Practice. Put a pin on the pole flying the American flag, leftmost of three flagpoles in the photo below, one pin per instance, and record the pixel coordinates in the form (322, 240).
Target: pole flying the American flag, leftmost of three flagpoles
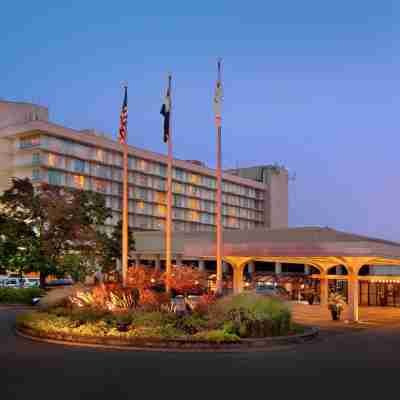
(125, 214)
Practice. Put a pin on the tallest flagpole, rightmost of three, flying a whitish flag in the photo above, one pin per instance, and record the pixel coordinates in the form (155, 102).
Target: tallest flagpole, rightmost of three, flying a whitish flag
(219, 189)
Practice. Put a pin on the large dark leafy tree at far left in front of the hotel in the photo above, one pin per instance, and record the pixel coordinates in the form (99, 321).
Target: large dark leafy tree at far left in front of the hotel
(55, 221)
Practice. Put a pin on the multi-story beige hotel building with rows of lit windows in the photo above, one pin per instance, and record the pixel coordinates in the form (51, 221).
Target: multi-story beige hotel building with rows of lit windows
(32, 146)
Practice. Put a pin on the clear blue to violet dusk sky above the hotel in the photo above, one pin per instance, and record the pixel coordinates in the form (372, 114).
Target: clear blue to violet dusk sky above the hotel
(311, 85)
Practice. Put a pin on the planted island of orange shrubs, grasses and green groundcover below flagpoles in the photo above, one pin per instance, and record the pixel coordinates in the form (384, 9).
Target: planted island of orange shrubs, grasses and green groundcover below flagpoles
(146, 313)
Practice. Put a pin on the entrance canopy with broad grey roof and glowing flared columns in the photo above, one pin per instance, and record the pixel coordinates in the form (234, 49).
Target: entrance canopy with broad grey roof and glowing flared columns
(319, 247)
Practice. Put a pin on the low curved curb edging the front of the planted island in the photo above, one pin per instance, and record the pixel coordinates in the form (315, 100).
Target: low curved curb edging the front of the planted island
(178, 345)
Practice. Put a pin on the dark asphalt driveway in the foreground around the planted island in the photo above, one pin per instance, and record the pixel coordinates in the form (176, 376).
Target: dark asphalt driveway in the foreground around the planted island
(365, 363)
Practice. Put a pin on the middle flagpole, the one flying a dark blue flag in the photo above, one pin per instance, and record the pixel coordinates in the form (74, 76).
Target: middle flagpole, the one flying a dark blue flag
(168, 225)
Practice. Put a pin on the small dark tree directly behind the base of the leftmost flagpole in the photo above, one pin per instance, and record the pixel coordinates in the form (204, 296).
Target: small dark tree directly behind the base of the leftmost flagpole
(112, 247)
